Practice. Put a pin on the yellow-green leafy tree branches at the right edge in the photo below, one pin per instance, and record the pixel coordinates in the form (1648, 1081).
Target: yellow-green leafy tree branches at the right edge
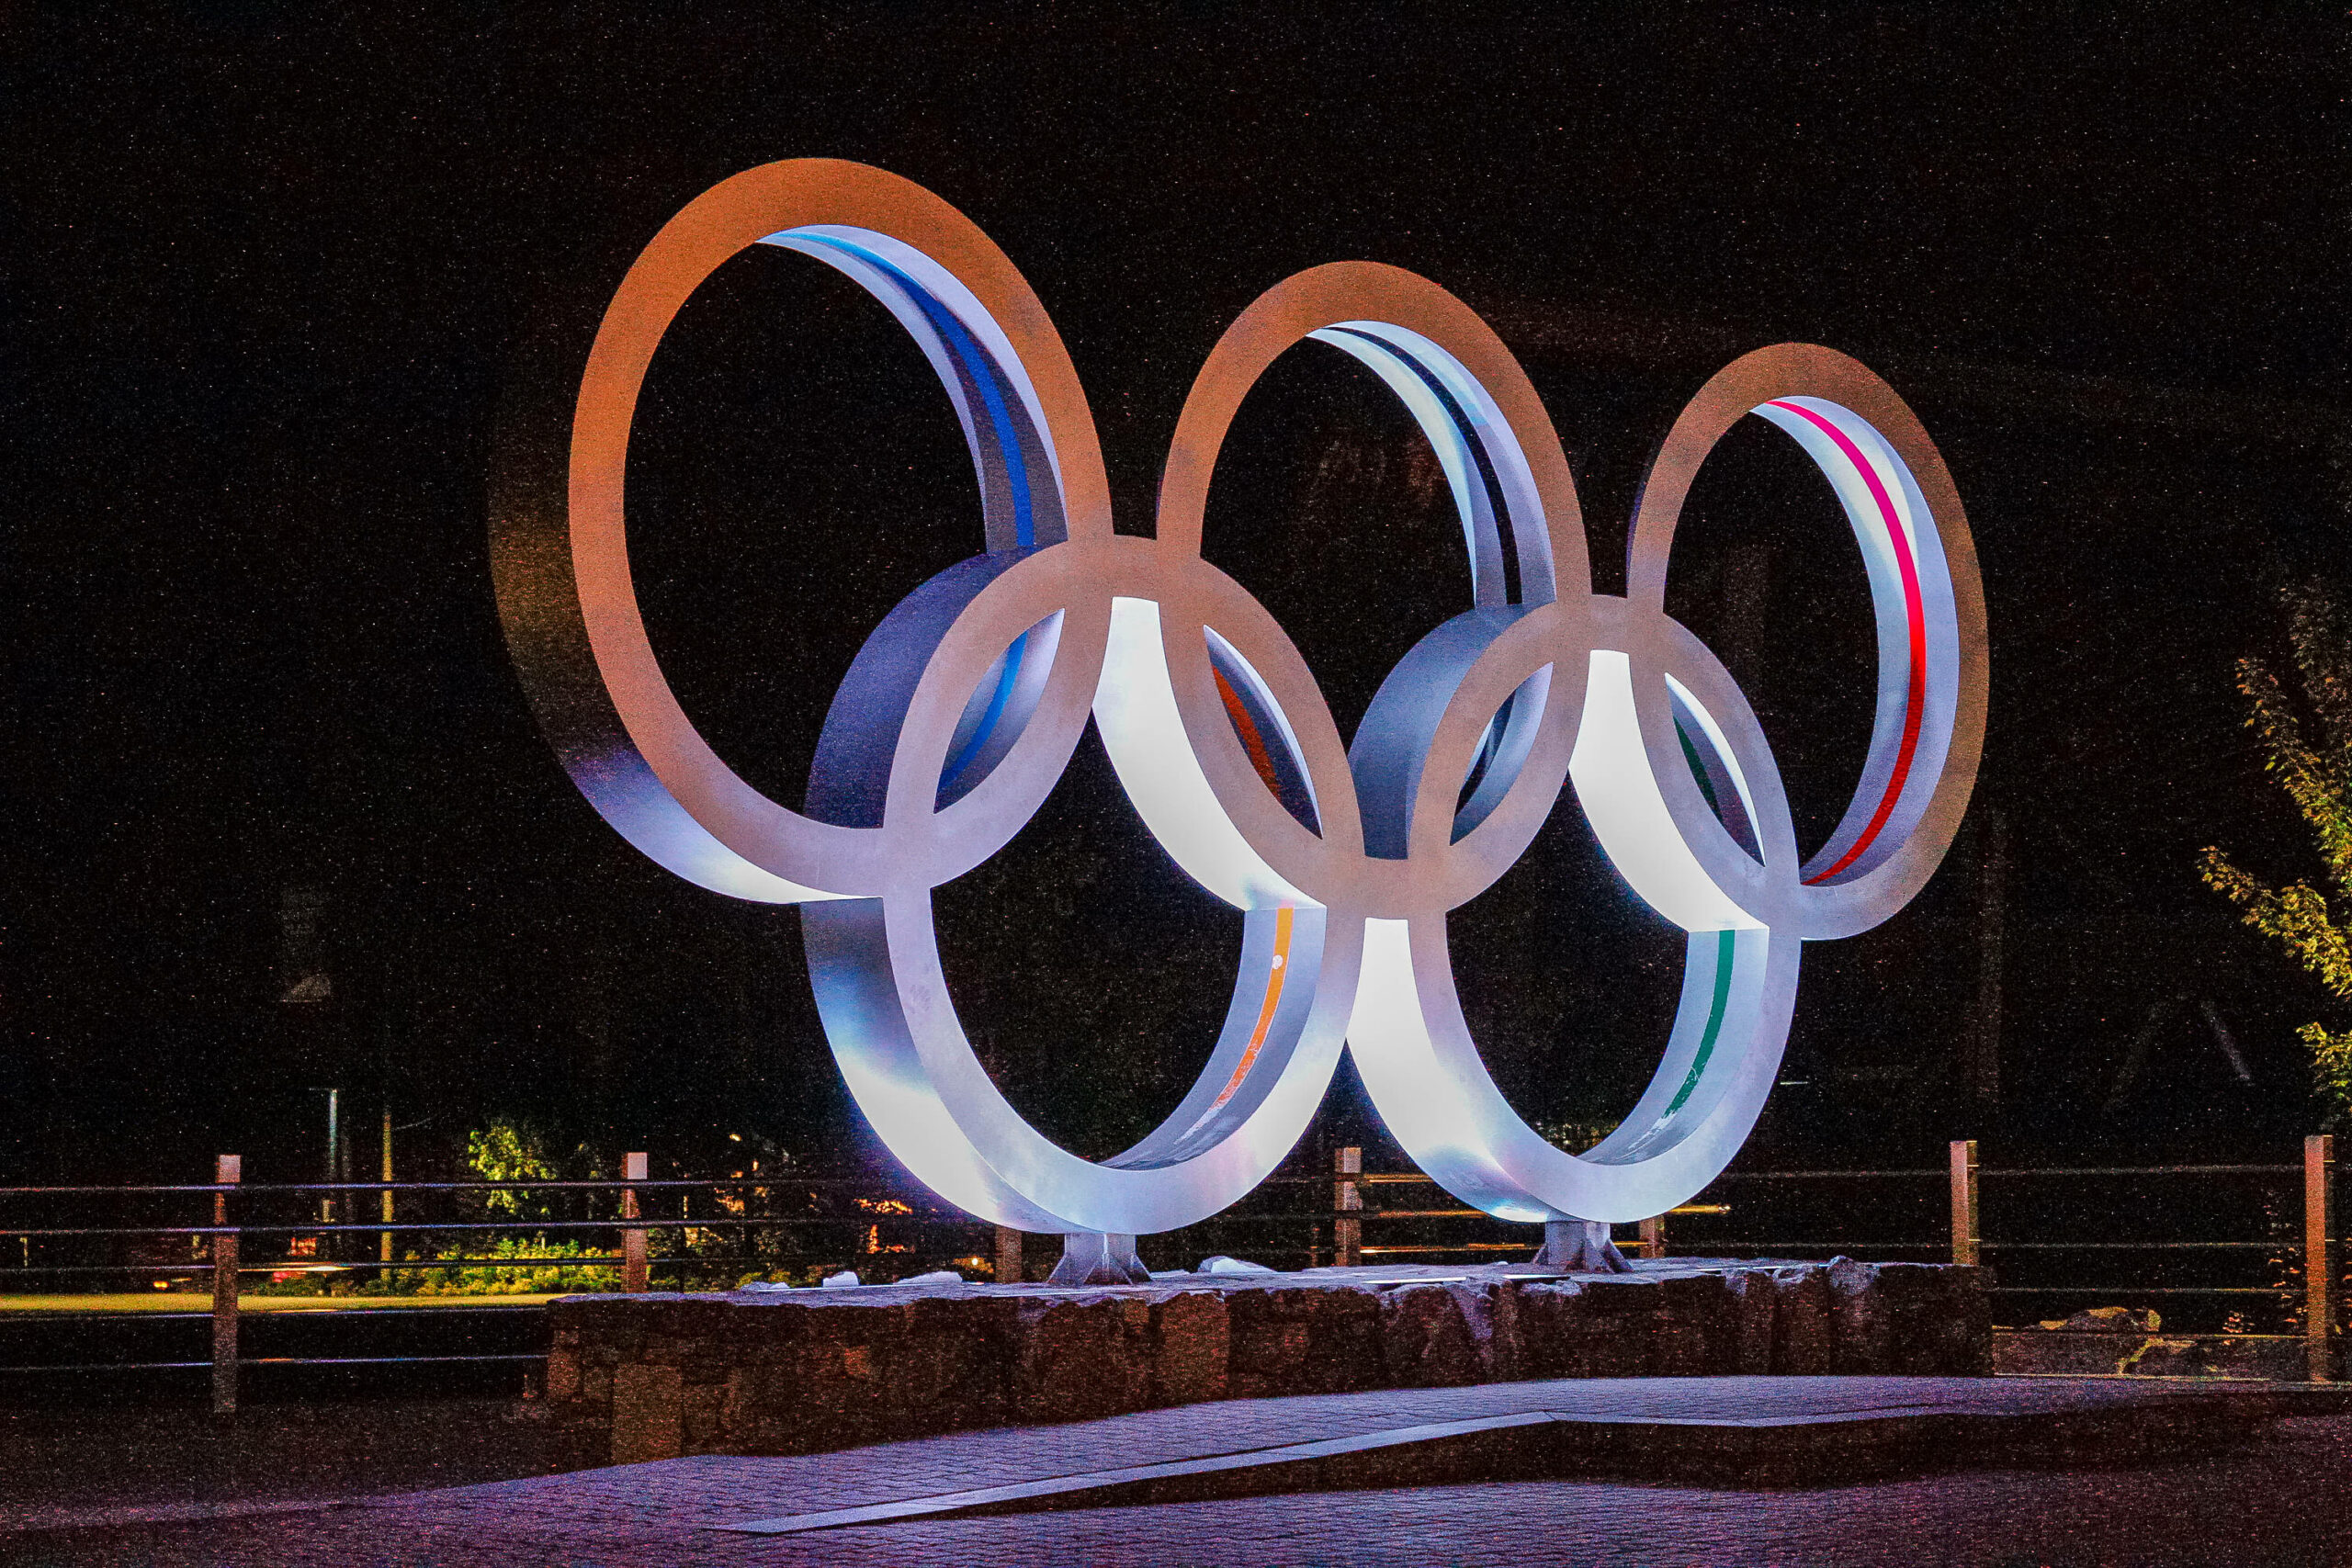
(2306, 737)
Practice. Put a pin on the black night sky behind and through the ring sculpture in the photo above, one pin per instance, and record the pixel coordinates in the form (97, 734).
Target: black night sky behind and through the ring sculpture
(267, 274)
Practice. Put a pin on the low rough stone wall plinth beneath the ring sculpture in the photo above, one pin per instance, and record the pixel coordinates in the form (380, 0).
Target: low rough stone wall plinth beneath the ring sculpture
(831, 1369)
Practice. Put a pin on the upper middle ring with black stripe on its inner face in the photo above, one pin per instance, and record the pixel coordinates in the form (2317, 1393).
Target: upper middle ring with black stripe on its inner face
(1530, 579)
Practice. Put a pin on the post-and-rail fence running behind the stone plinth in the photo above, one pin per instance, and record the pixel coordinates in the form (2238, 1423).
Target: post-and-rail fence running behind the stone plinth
(1337, 1235)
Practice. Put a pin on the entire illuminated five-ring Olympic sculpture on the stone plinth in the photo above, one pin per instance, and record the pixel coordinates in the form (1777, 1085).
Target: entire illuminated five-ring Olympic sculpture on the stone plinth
(1344, 859)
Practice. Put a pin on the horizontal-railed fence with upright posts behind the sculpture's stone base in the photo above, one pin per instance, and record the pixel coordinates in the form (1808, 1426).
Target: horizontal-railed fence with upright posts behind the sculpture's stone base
(1335, 1235)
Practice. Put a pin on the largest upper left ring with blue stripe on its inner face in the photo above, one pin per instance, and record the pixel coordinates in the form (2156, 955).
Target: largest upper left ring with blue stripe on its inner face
(566, 589)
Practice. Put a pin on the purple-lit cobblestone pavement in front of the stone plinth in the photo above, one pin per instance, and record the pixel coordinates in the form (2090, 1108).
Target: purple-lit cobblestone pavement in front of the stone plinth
(2290, 1503)
